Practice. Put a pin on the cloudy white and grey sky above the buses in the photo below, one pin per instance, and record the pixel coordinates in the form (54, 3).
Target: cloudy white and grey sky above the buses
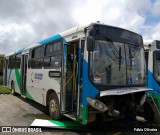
(24, 22)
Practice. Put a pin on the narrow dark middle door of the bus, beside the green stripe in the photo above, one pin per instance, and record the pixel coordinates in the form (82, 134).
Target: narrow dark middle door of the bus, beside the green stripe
(24, 73)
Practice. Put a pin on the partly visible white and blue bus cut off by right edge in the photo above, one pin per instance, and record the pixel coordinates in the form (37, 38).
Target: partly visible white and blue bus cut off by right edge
(152, 56)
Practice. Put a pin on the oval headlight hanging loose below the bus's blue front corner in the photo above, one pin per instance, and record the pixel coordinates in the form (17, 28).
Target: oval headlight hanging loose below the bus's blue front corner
(97, 104)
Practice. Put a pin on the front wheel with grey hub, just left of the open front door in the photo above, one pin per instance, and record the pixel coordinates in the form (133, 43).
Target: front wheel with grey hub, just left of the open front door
(53, 106)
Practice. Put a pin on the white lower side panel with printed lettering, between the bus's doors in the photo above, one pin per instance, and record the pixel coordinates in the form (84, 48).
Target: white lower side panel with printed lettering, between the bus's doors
(38, 83)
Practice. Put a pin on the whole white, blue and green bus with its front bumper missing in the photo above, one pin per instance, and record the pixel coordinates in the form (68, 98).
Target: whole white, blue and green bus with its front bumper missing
(87, 73)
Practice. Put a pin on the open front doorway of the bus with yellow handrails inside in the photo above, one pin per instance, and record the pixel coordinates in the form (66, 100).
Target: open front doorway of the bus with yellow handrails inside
(69, 77)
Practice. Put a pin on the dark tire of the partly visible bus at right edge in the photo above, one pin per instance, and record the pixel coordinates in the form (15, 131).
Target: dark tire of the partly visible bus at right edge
(150, 112)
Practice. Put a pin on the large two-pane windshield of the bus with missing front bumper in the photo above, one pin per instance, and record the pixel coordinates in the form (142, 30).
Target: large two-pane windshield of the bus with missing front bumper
(116, 63)
